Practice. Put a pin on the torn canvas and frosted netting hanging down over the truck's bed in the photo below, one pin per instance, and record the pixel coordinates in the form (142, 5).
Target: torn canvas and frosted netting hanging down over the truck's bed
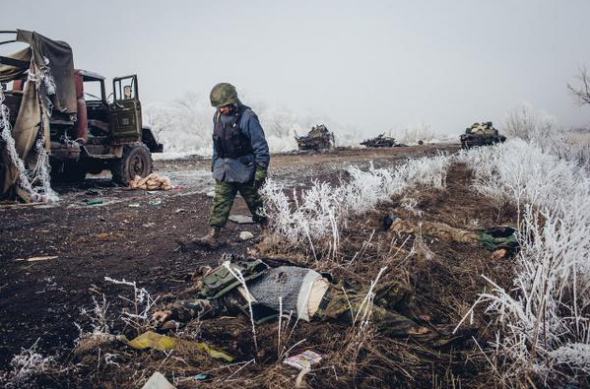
(24, 146)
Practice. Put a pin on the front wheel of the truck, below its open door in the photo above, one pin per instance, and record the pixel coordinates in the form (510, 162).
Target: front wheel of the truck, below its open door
(136, 161)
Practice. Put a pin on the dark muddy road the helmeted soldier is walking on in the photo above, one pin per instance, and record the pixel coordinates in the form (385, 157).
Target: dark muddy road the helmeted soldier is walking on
(130, 235)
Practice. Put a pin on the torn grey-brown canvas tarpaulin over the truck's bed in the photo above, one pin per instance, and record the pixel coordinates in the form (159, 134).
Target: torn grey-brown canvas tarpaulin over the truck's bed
(50, 87)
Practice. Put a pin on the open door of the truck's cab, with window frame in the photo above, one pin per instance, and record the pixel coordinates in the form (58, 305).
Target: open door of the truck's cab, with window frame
(125, 111)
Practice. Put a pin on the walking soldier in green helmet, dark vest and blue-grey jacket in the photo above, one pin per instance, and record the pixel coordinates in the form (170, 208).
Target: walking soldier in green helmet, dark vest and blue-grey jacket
(240, 159)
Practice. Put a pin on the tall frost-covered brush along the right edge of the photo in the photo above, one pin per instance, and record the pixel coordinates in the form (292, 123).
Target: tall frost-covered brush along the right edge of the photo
(544, 318)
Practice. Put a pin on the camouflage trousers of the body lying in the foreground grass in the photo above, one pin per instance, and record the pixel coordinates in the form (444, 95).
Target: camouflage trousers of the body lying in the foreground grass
(390, 298)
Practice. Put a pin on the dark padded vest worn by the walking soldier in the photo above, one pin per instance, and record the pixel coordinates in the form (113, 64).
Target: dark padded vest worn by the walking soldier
(230, 141)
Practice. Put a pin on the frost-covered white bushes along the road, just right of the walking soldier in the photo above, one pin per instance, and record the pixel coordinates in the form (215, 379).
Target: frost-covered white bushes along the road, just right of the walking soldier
(317, 215)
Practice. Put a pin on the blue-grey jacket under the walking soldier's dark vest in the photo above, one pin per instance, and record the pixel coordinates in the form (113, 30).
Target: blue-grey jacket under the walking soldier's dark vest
(241, 170)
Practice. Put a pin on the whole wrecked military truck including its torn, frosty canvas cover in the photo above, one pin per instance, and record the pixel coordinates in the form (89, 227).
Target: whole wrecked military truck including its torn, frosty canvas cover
(61, 116)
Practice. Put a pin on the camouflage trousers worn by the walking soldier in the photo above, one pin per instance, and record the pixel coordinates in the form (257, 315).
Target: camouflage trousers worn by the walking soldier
(225, 193)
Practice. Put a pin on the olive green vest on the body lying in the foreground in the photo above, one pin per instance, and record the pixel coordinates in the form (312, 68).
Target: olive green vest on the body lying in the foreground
(220, 281)
